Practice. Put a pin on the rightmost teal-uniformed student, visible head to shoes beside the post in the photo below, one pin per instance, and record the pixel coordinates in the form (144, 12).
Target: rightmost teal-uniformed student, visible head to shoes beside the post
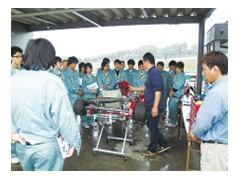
(175, 94)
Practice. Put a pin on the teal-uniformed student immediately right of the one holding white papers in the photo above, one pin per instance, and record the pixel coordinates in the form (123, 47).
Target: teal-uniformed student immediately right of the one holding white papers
(105, 79)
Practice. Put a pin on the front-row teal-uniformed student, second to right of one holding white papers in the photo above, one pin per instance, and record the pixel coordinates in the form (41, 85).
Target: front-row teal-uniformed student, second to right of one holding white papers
(118, 74)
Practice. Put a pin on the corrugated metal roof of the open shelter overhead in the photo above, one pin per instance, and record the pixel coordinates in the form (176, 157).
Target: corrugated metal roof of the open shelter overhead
(64, 18)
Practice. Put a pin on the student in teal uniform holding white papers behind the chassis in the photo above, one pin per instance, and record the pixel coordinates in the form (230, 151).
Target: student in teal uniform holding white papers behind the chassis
(88, 79)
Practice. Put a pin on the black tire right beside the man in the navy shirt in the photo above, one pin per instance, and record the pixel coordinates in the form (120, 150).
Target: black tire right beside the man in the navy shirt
(139, 112)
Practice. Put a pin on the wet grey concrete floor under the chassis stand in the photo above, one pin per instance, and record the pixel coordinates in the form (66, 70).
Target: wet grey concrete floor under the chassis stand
(171, 160)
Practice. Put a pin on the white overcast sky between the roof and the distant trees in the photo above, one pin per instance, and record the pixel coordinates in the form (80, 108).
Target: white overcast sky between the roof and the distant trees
(88, 42)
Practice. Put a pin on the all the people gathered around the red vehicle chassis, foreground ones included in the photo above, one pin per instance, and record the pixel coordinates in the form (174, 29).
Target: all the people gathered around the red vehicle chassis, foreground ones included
(42, 103)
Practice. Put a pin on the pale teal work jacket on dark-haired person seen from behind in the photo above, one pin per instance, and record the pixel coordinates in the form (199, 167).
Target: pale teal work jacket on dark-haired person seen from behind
(40, 108)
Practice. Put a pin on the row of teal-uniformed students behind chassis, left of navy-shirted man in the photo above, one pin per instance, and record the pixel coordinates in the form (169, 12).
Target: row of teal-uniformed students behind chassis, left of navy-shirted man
(79, 83)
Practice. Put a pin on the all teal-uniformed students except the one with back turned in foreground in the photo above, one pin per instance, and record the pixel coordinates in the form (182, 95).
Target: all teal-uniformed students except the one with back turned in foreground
(77, 82)
